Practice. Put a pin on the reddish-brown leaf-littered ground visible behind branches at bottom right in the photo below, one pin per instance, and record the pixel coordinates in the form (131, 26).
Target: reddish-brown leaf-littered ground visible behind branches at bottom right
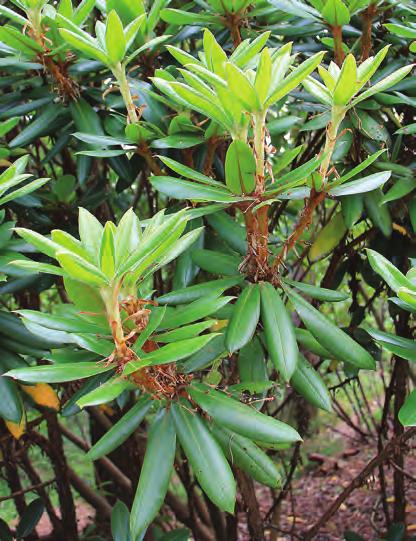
(326, 477)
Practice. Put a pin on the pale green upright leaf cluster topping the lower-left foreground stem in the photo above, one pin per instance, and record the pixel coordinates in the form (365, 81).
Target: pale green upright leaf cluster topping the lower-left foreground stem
(111, 256)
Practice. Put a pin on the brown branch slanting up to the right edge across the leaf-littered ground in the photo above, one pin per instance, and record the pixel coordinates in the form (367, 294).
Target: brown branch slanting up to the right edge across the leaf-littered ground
(359, 480)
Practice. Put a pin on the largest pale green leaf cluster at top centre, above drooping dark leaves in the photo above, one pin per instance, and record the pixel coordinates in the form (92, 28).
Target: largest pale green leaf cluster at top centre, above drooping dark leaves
(227, 89)
